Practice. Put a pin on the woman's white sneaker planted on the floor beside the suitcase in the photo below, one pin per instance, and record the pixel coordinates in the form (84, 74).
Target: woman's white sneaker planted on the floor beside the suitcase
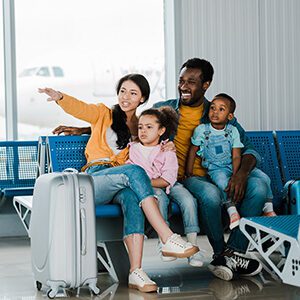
(139, 280)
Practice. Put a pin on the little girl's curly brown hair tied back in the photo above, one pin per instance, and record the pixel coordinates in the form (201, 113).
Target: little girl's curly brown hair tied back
(166, 117)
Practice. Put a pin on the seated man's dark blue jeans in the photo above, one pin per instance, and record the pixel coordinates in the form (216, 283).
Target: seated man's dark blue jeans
(210, 200)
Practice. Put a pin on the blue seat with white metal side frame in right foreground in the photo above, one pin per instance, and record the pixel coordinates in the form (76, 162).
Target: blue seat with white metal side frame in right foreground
(284, 234)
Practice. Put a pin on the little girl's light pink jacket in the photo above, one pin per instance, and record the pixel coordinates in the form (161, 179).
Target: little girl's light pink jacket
(159, 165)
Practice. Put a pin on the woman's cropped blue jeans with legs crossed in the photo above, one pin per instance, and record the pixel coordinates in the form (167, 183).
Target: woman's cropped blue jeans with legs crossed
(127, 185)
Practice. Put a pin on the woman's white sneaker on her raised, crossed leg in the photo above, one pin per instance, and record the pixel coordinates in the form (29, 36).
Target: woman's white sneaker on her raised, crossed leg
(177, 247)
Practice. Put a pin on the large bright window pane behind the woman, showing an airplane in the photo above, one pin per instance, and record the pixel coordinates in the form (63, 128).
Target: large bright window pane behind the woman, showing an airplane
(82, 48)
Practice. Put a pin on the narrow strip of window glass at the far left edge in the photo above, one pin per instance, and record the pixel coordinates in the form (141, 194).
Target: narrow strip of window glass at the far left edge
(2, 101)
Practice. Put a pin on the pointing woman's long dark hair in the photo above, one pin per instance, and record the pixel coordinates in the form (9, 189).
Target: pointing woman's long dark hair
(118, 115)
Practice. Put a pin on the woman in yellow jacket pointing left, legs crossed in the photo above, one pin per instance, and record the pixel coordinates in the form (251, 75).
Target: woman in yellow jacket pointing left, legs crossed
(106, 153)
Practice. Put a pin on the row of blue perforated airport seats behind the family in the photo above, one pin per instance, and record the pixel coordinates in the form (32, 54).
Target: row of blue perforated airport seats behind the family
(22, 161)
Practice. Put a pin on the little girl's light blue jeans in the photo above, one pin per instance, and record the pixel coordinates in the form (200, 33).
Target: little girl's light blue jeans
(186, 202)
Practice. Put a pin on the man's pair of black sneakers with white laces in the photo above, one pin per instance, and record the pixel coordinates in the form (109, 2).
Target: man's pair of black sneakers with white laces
(230, 264)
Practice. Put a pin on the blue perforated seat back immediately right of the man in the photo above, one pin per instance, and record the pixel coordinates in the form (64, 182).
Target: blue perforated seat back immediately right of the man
(264, 143)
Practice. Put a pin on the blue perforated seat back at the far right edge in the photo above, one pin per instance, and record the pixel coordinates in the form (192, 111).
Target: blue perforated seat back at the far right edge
(289, 151)
